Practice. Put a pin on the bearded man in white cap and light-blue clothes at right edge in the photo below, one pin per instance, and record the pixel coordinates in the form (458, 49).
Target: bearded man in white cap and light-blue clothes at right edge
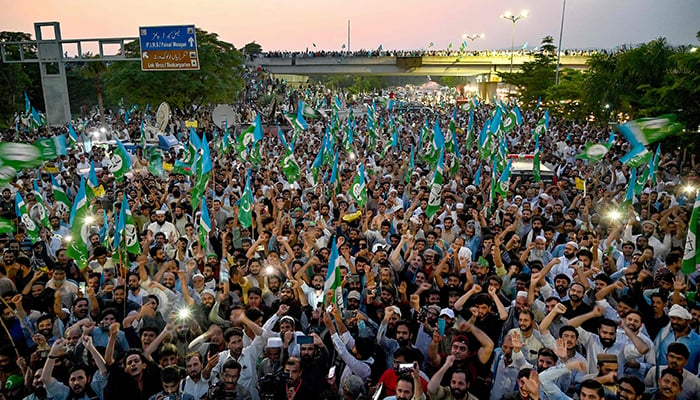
(678, 330)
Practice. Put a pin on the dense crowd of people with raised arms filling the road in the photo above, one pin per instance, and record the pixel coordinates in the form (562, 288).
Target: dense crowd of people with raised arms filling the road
(538, 293)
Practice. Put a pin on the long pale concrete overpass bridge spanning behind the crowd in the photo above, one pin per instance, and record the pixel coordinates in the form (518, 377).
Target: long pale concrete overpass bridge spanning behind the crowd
(466, 65)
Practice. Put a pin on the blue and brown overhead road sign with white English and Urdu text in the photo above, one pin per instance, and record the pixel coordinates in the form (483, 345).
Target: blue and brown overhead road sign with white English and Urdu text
(168, 48)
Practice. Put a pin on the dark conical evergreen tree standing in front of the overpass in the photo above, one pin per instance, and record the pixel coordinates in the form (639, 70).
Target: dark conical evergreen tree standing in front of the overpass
(535, 76)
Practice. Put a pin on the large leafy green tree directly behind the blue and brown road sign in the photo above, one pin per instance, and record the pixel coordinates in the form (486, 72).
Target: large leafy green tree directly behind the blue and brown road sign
(217, 81)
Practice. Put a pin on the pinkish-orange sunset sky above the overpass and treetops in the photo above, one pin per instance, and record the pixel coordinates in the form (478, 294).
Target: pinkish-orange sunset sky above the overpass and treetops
(395, 24)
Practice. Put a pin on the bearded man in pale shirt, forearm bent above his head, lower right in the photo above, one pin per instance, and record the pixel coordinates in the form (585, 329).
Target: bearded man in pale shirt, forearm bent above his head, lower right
(605, 341)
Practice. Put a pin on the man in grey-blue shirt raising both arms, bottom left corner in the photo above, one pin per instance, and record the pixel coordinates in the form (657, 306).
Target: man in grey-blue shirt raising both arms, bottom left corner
(78, 379)
